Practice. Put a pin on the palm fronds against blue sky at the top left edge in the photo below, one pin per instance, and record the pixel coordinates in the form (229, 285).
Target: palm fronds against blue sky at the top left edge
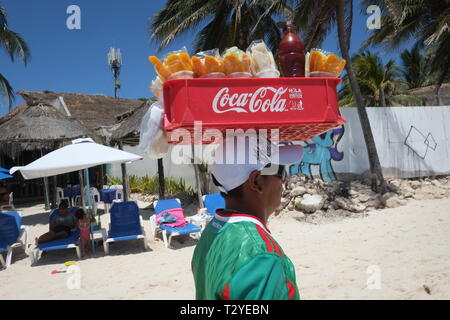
(15, 47)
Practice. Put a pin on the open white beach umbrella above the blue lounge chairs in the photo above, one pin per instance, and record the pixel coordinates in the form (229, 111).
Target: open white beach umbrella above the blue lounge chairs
(81, 154)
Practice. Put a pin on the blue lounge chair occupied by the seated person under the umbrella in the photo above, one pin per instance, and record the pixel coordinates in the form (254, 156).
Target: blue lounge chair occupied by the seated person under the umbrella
(70, 242)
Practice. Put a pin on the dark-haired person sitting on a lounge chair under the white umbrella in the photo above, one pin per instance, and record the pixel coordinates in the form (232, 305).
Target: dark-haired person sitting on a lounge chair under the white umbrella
(60, 225)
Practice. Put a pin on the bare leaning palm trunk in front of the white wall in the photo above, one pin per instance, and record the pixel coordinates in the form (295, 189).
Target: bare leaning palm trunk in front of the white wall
(378, 182)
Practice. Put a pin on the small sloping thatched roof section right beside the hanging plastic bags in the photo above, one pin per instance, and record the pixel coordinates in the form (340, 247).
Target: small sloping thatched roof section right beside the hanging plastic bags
(129, 129)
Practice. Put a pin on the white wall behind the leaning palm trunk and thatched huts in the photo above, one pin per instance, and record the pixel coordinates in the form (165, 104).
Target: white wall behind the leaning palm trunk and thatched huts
(400, 135)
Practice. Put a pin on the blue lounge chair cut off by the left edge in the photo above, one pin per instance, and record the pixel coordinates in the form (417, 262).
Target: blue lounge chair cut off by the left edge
(11, 233)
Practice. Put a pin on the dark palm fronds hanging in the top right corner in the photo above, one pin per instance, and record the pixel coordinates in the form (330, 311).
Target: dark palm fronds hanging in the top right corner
(427, 21)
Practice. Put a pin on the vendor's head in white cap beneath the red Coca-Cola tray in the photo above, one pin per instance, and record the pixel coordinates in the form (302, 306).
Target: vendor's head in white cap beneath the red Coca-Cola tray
(250, 173)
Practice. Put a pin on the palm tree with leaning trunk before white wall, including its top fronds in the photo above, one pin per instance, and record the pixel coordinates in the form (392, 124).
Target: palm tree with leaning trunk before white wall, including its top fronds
(315, 18)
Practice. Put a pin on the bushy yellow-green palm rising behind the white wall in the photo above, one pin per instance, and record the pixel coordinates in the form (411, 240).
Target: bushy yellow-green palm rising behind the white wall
(380, 84)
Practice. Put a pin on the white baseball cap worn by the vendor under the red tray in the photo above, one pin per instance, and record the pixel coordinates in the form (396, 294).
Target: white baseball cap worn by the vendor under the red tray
(239, 155)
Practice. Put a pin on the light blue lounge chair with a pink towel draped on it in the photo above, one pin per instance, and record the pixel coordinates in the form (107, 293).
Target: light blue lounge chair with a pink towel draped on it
(162, 205)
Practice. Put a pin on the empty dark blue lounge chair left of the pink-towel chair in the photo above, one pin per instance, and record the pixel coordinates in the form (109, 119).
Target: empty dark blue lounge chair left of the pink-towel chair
(125, 224)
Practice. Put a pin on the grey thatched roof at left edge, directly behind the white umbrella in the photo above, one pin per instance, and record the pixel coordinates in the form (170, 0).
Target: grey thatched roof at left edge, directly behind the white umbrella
(40, 127)
